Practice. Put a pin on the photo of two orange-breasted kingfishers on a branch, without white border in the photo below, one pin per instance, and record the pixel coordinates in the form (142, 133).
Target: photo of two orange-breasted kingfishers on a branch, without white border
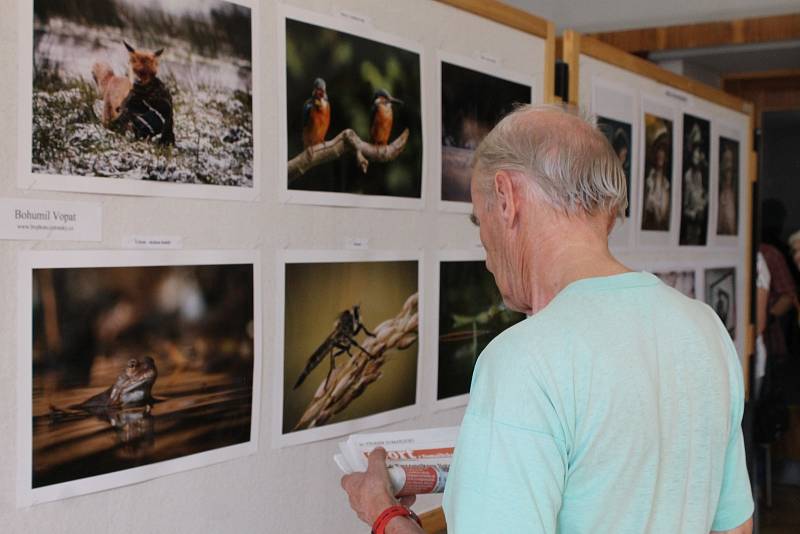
(353, 114)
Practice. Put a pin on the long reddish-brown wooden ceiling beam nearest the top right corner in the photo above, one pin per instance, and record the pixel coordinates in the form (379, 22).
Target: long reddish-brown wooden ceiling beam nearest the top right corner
(703, 35)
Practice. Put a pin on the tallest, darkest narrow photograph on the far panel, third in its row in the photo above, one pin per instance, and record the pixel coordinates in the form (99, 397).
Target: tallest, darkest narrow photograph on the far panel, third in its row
(694, 191)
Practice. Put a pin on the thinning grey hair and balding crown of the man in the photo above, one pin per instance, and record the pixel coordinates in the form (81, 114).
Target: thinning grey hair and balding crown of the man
(572, 167)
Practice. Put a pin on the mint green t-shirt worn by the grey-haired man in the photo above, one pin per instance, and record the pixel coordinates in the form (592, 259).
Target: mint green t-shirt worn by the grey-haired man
(617, 408)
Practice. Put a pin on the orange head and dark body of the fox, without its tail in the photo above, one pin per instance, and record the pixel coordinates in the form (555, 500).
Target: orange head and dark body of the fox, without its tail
(148, 106)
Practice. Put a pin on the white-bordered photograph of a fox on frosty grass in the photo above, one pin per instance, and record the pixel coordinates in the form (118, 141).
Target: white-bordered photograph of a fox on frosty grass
(140, 97)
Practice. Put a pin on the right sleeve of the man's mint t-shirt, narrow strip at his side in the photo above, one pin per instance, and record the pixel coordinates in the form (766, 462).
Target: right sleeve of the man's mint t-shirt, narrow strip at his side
(735, 504)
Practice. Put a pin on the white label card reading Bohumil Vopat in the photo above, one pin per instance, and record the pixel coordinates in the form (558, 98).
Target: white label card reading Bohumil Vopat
(56, 220)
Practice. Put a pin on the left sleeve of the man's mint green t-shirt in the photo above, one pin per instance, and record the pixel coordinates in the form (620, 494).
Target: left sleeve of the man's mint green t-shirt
(510, 467)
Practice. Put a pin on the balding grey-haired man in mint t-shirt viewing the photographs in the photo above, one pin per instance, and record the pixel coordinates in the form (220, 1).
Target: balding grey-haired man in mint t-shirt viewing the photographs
(616, 406)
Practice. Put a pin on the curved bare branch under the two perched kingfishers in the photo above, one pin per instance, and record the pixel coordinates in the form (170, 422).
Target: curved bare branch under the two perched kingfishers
(347, 141)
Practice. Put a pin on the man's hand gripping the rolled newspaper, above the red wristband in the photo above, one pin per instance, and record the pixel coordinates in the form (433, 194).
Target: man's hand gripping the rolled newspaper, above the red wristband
(370, 492)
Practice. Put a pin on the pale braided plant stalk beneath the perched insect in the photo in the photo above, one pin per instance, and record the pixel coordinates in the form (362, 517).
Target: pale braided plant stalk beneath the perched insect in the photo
(348, 381)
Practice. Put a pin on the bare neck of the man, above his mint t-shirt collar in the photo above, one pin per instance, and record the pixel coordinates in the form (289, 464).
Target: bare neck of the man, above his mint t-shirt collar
(578, 250)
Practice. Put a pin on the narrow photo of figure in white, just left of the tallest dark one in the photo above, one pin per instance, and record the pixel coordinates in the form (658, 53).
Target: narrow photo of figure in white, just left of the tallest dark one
(657, 190)
